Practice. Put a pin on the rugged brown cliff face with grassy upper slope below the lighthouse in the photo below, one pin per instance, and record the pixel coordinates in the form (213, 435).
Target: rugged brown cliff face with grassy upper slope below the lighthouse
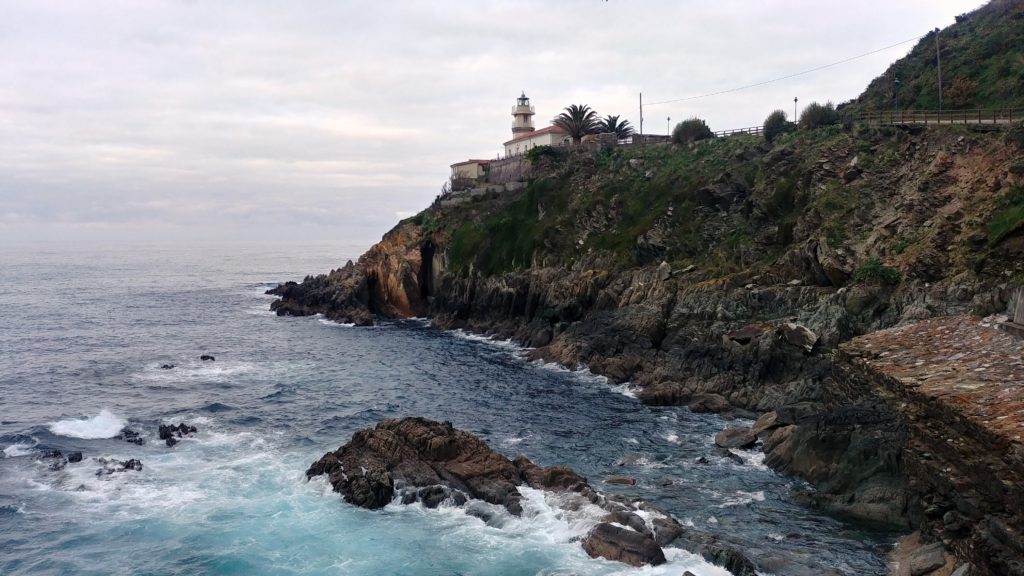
(730, 284)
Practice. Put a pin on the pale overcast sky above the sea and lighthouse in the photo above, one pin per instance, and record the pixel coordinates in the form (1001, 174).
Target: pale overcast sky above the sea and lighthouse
(330, 120)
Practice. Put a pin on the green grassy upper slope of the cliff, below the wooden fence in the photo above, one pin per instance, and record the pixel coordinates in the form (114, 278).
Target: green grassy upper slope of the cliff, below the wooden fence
(596, 205)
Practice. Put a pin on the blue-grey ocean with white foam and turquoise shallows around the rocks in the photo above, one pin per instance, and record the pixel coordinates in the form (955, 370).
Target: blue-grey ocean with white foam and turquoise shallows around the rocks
(83, 335)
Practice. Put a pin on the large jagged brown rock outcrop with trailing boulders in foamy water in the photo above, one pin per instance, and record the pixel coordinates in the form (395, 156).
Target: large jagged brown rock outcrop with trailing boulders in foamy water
(433, 463)
